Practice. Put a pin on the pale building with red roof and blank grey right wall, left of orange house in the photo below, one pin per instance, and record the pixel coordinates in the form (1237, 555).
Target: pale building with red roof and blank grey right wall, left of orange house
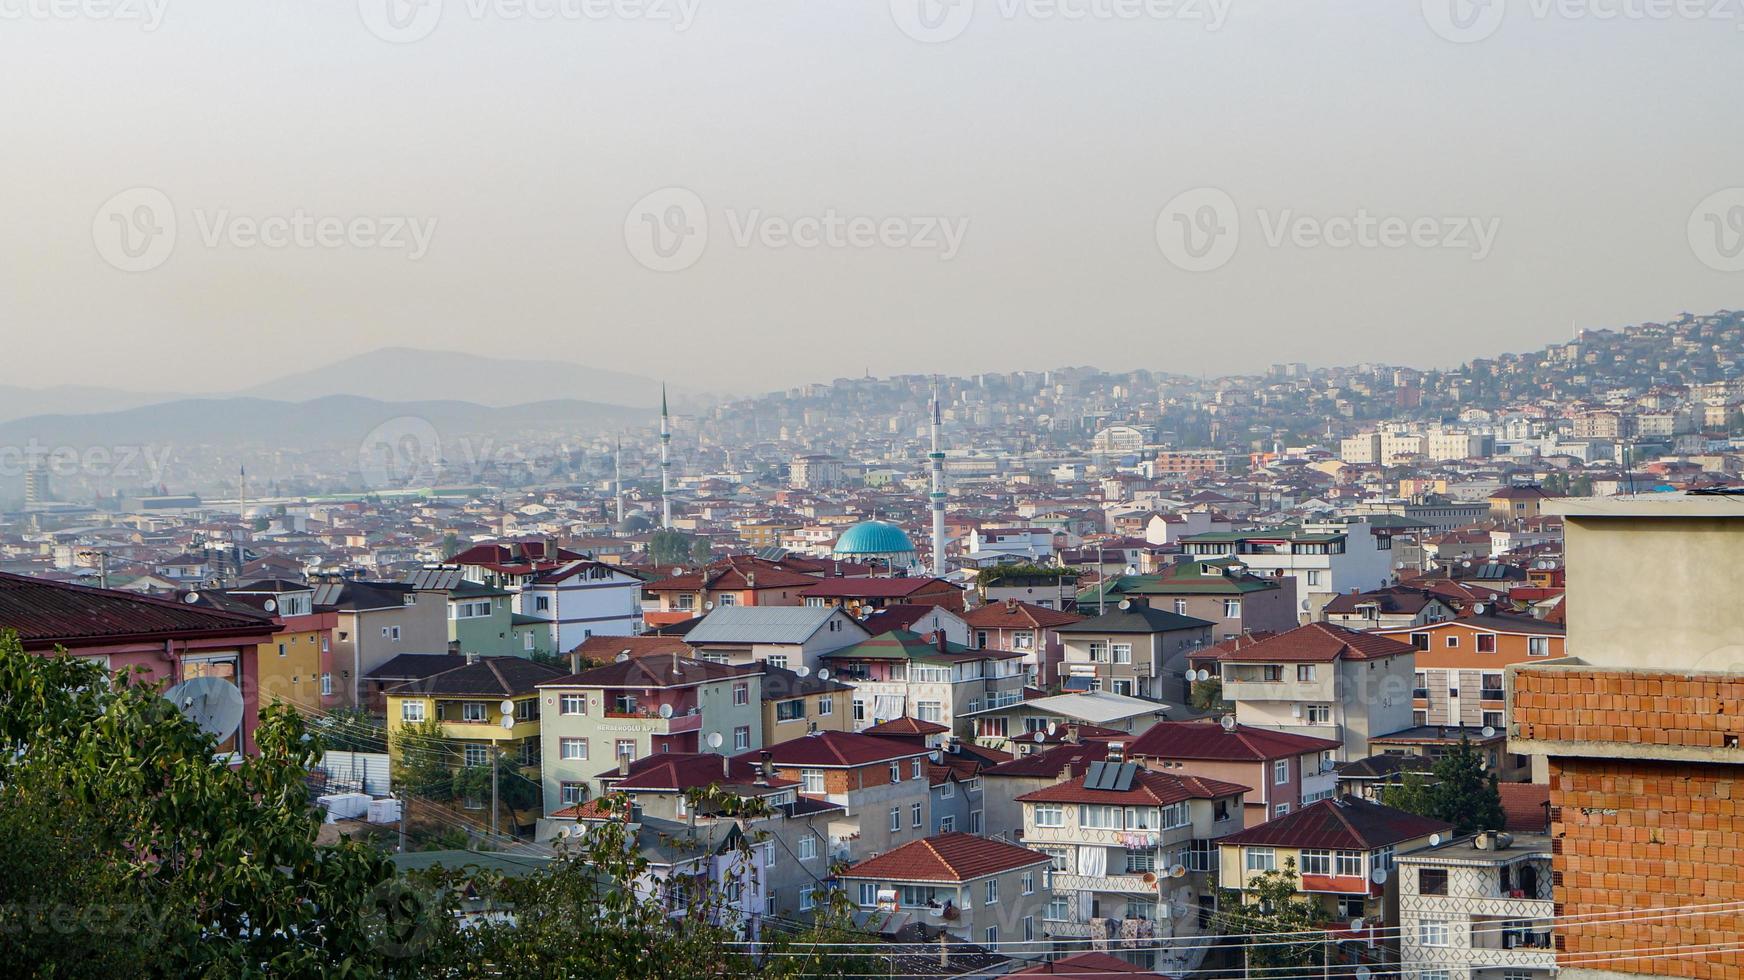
(1323, 681)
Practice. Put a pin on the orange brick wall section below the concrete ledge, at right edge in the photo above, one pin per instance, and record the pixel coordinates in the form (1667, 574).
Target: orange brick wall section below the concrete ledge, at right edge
(1630, 836)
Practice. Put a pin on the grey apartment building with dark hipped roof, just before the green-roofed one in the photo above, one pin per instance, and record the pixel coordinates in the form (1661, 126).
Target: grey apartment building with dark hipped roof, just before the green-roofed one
(1133, 650)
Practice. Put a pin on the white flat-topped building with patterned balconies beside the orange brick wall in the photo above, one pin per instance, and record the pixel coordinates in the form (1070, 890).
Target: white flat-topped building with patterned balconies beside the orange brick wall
(1478, 908)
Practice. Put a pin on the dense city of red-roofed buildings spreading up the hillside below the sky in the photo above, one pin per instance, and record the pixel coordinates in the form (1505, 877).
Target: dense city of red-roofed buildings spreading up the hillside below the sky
(1046, 674)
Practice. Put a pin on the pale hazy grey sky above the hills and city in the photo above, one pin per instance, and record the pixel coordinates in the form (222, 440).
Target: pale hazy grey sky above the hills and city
(976, 194)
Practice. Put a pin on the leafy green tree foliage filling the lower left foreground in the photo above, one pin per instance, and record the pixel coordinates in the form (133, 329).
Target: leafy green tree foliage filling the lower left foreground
(128, 848)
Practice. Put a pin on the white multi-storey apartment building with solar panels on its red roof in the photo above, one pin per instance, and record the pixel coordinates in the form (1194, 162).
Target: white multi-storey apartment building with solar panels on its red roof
(1133, 854)
